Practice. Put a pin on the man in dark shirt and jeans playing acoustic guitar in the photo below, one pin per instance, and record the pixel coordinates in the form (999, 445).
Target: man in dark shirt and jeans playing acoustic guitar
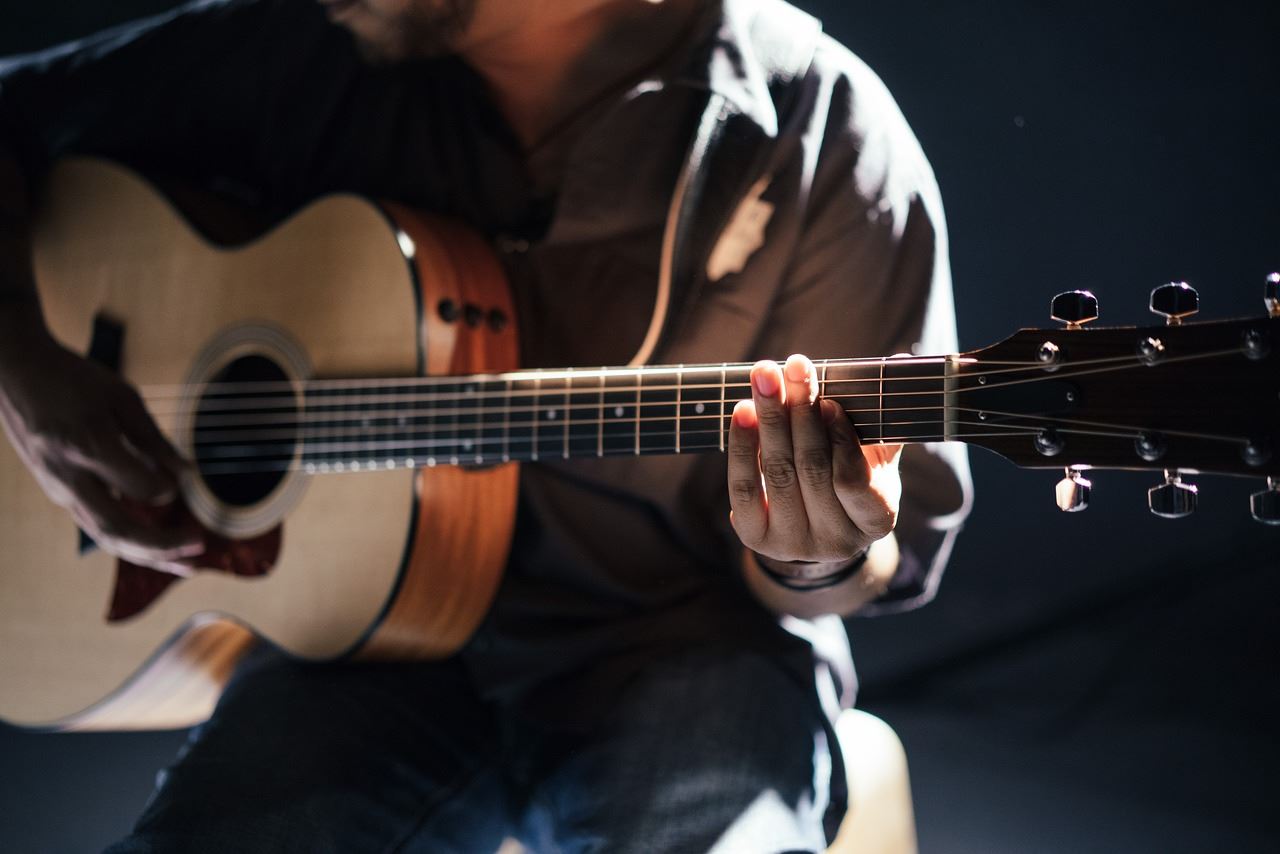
(632, 688)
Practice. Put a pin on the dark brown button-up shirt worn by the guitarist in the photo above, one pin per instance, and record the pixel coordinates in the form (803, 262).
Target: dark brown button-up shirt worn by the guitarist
(620, 558)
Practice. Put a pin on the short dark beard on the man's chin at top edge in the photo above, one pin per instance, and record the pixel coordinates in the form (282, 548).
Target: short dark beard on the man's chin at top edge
(417, 30)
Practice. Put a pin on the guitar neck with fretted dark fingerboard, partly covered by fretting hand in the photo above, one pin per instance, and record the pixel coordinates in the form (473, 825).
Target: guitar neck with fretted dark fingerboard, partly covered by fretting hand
(534, 415)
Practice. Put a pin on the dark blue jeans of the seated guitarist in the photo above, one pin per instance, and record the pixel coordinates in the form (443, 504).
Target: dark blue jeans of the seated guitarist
(712, 750)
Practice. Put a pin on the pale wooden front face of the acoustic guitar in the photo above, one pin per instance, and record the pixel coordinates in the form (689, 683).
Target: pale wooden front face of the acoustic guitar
(335, 280)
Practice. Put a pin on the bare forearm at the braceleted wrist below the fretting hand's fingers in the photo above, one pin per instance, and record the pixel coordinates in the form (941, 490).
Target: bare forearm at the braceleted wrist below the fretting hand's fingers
(845, 599)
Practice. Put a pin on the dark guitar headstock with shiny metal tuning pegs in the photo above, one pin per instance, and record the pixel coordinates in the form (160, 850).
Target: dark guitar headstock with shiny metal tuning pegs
(1178, 399)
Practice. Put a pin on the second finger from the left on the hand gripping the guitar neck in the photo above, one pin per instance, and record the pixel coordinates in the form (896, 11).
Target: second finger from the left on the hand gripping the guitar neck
(788, 515)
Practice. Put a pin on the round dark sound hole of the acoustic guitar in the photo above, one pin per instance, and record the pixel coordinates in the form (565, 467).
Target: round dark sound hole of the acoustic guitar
(246, 435)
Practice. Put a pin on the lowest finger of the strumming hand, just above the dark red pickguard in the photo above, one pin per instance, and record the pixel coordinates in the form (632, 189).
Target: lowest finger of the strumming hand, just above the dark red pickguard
(120, 533)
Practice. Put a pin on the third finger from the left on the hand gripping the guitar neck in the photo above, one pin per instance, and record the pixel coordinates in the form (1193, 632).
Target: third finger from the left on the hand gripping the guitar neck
(811, 447)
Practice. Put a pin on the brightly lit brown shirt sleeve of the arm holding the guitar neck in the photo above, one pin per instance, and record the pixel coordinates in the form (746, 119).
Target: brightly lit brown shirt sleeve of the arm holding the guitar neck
(871, 277)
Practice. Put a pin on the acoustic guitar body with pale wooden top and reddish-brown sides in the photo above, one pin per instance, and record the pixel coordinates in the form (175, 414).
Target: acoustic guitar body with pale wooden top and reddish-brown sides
(377, 564)
